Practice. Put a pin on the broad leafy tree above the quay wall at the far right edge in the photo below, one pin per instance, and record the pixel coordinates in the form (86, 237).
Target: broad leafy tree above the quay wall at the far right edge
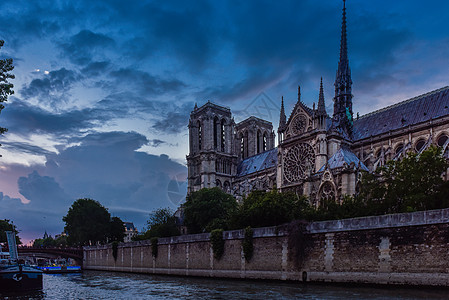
(411, 184)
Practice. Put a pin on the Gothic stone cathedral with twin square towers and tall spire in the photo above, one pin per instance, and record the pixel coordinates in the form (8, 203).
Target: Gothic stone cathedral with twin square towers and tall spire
(318, 155)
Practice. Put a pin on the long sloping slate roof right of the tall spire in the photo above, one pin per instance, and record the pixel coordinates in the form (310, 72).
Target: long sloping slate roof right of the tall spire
(419, 109)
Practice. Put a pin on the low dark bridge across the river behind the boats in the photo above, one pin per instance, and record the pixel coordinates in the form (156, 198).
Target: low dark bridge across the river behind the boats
(53, 252)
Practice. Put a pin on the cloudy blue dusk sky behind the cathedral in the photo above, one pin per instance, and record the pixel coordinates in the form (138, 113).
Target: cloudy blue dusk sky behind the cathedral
(104, 89)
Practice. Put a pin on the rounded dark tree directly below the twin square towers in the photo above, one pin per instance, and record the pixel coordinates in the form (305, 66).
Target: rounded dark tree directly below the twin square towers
(208, 209)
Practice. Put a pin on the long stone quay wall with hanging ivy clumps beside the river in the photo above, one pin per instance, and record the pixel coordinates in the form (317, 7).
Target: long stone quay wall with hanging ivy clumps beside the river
(404, 249)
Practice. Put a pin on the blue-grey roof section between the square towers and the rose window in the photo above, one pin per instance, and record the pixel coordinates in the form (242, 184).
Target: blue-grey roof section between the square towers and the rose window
(258, 162)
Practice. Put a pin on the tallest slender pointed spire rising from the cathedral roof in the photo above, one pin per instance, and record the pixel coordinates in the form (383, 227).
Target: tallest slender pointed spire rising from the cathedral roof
(342, 119)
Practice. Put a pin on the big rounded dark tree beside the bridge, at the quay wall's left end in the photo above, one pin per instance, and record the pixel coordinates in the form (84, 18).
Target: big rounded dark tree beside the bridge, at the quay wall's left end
(88, 222)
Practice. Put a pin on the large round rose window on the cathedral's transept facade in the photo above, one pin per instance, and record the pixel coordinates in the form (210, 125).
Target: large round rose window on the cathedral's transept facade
(299, 161)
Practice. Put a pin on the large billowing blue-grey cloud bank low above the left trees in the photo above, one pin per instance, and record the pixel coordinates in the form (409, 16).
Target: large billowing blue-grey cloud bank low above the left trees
(106, 167)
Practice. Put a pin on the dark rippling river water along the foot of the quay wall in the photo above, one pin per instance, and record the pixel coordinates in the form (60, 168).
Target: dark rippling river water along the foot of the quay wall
(111, 285)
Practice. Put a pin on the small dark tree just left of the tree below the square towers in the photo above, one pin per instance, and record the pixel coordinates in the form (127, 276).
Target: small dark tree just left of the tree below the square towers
(162, 223)
